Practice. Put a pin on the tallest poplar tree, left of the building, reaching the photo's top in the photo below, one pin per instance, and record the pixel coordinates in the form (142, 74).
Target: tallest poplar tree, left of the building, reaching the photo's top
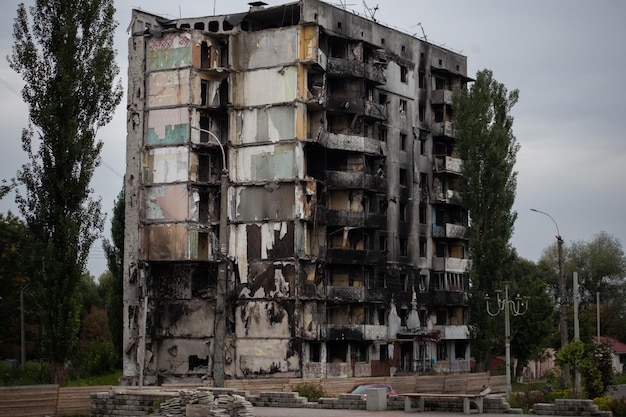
(65, 55)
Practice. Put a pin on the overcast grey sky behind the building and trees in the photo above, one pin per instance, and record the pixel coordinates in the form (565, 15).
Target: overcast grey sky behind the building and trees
(567, 58)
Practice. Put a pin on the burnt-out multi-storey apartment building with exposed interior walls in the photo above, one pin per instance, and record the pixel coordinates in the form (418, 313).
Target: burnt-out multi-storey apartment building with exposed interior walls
(292, 204)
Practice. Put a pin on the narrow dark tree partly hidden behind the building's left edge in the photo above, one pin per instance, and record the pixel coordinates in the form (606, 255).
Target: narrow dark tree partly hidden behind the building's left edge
(112, 283)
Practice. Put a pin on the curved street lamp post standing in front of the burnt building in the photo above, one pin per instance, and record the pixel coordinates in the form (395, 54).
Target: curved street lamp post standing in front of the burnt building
(220, 298)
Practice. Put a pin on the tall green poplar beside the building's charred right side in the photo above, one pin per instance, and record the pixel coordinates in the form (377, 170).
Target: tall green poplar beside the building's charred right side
(488, 150)
